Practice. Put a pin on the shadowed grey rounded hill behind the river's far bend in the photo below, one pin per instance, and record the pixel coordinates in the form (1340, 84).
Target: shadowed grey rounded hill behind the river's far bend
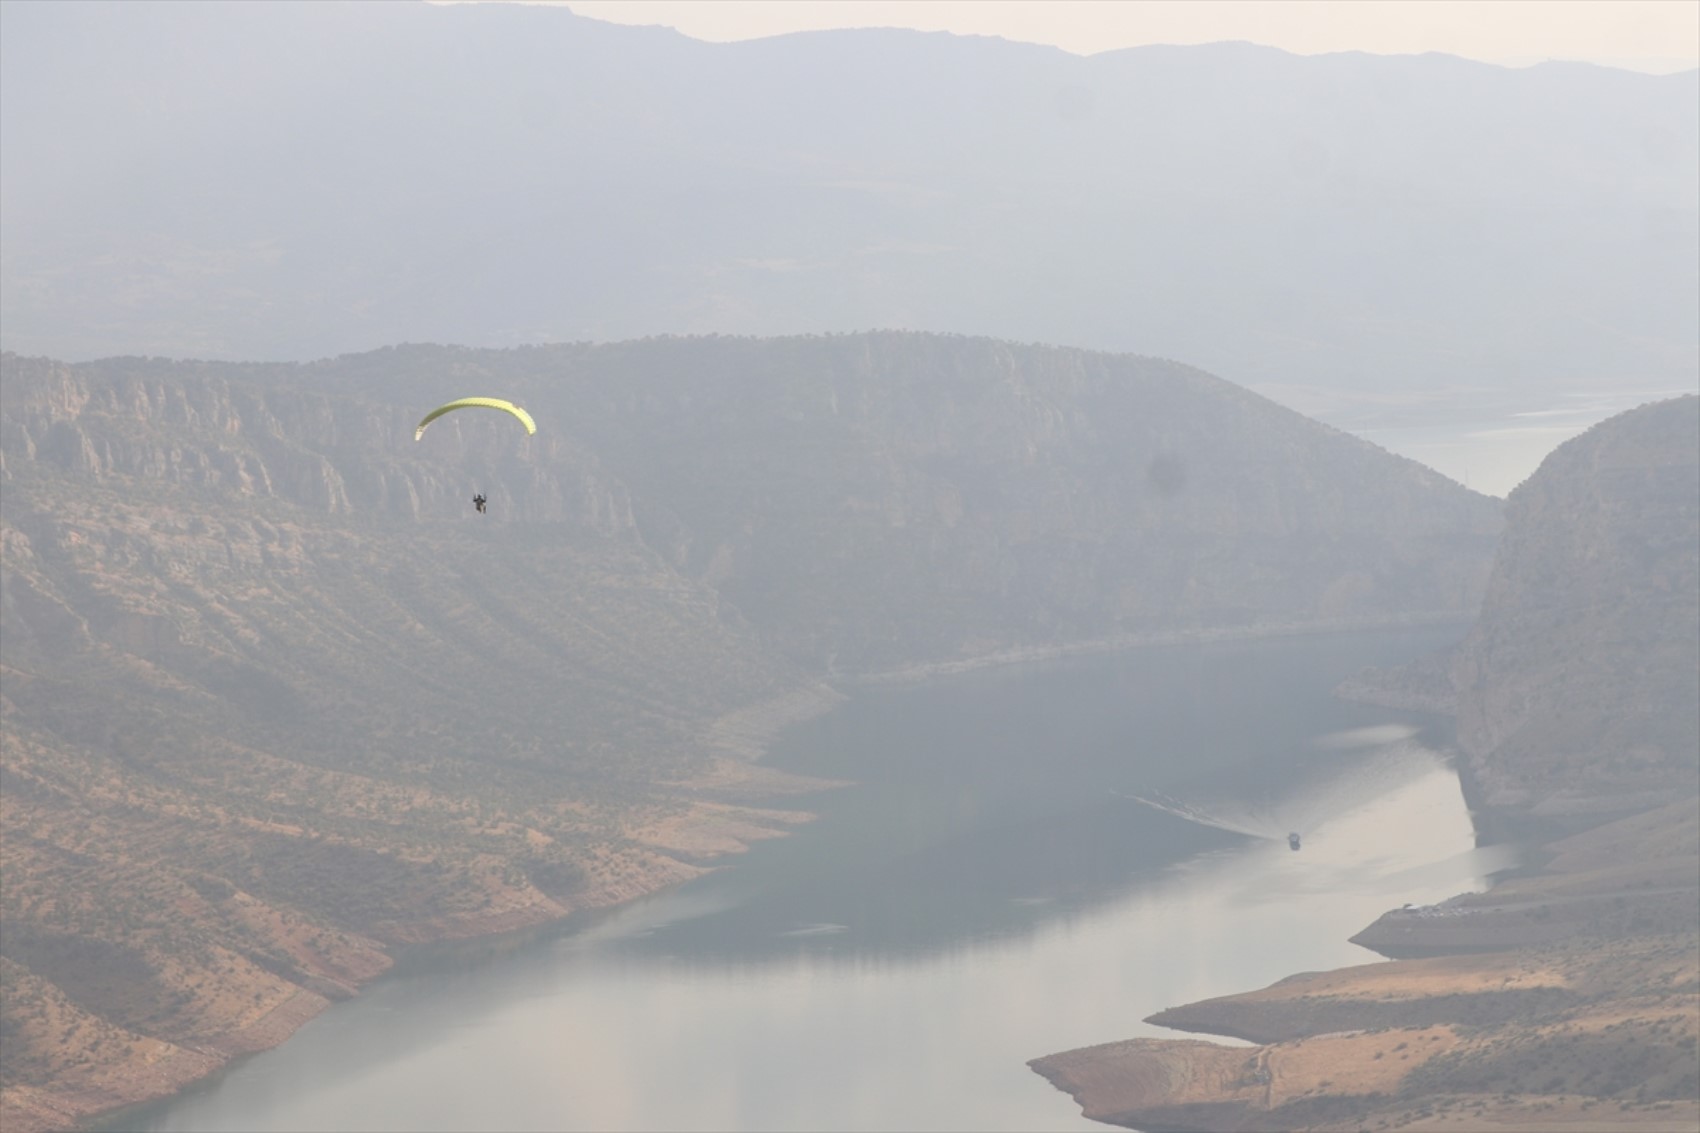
(873, 501)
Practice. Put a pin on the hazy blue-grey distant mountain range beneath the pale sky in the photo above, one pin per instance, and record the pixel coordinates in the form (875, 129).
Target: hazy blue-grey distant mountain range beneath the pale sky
(1373, 239)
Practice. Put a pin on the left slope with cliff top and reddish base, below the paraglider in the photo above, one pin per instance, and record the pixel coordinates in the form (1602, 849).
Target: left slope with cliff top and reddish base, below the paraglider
(269, 705)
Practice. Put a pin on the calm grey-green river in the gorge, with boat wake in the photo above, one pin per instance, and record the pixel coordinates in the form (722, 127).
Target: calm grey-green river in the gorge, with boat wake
(1031, 860)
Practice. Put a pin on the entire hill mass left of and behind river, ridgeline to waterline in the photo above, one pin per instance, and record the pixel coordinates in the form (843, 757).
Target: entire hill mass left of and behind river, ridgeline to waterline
(278, 698)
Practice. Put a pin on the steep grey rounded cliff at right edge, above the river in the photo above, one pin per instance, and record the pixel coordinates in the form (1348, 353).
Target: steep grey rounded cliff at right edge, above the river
(1580, 685)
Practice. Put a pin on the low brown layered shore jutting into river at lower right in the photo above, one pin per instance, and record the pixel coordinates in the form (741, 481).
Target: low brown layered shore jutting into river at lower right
(1526, 986)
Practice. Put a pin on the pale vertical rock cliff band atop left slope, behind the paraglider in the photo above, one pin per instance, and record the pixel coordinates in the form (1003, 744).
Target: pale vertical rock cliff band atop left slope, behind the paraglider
(193, 428)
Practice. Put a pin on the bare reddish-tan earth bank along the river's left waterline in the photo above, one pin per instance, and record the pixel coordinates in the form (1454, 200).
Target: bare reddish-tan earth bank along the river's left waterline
(93, 1068)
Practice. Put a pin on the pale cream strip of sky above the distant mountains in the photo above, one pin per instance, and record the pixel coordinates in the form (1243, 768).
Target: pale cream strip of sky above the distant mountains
(1640, 35)
